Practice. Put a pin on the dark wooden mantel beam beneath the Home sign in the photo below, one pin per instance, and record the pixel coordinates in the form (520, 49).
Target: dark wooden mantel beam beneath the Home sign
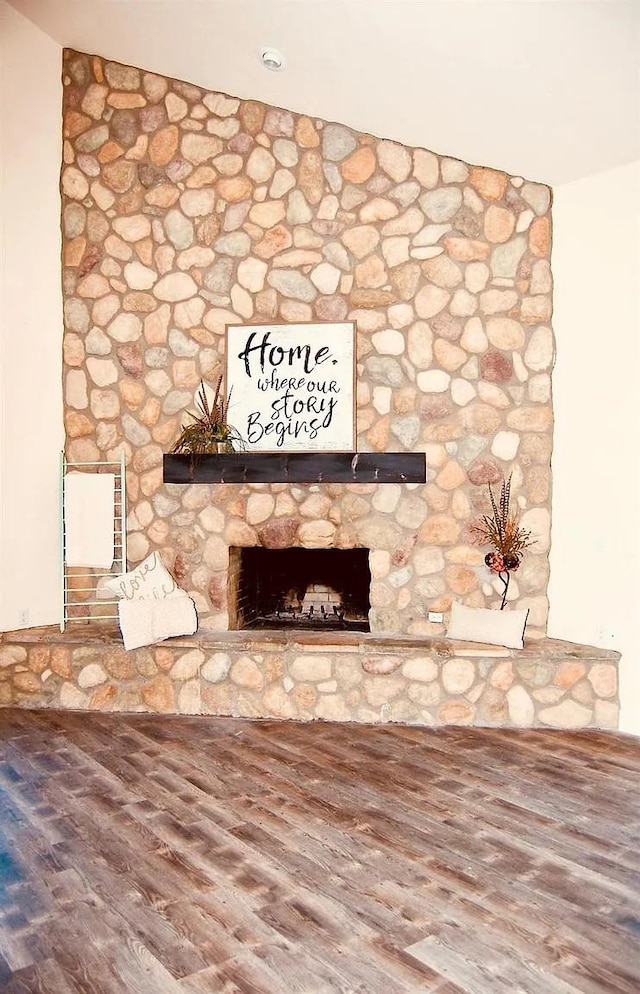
(297, 467)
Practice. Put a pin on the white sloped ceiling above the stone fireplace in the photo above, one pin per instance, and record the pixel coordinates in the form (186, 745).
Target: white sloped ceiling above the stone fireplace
(548, 89)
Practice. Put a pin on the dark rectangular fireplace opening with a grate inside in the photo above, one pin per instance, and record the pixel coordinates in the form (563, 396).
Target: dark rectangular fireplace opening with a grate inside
(299, 588)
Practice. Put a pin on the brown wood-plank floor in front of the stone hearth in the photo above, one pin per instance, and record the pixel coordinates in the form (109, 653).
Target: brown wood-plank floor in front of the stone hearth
(162, 855)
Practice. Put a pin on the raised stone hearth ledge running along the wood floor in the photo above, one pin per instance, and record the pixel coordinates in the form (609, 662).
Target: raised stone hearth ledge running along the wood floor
(304, 676)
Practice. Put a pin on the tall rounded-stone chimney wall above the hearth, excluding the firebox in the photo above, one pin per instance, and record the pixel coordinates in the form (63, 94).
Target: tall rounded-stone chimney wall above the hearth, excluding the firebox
(185, 210)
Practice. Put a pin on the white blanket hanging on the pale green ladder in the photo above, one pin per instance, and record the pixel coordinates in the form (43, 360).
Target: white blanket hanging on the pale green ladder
(89, 519)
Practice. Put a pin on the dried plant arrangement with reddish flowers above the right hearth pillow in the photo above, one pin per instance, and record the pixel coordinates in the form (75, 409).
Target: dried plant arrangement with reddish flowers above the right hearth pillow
(503, 532)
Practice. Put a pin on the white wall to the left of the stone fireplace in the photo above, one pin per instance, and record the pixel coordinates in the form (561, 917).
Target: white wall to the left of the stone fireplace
(31, 433)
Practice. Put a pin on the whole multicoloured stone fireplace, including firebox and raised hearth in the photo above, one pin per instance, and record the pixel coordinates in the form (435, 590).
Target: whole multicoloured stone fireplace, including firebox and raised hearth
(185, 211)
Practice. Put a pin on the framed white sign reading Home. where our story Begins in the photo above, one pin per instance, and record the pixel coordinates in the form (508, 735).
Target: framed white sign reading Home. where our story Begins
(291, 386)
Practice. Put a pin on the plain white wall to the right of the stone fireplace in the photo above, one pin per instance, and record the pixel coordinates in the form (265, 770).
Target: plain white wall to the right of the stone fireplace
(595, 554)
